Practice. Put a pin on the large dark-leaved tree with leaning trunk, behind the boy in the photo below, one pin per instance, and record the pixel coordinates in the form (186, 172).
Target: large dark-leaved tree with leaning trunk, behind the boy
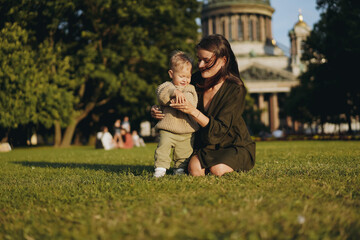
(119, 49)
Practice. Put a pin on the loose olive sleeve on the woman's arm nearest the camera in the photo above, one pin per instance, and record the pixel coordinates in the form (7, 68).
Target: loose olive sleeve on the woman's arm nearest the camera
(227, 112)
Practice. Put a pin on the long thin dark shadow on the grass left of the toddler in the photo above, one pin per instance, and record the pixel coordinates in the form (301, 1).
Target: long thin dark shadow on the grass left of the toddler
(135, 170)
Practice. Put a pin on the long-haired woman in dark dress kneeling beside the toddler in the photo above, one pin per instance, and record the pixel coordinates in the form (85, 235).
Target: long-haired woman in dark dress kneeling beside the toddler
(223, 143)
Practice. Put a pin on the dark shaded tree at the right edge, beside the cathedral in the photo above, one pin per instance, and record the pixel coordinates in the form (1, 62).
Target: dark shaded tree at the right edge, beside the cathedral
(330, 50)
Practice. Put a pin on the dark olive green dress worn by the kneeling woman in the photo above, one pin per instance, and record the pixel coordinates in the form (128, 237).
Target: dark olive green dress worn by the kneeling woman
(226, 138)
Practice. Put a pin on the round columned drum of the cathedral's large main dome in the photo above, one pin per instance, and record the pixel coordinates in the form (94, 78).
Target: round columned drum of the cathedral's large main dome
(238, 20)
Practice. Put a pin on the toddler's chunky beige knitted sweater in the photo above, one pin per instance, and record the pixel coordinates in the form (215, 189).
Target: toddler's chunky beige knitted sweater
(176, 121)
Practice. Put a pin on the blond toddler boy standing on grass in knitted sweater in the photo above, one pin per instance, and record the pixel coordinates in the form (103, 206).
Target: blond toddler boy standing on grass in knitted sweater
(176, 128)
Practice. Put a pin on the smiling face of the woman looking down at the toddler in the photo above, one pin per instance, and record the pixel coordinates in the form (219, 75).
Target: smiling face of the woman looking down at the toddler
(208, 64)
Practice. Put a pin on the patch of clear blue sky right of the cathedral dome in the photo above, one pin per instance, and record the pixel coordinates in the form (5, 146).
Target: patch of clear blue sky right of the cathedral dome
(286, 15)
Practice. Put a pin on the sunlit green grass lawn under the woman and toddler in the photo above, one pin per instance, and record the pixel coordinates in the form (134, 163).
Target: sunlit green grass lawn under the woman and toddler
(297, 190)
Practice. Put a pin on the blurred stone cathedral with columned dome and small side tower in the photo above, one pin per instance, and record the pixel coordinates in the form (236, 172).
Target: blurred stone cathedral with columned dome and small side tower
(268, 73)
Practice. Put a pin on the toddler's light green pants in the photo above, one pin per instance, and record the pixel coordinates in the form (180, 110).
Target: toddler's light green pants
(182, 144)
